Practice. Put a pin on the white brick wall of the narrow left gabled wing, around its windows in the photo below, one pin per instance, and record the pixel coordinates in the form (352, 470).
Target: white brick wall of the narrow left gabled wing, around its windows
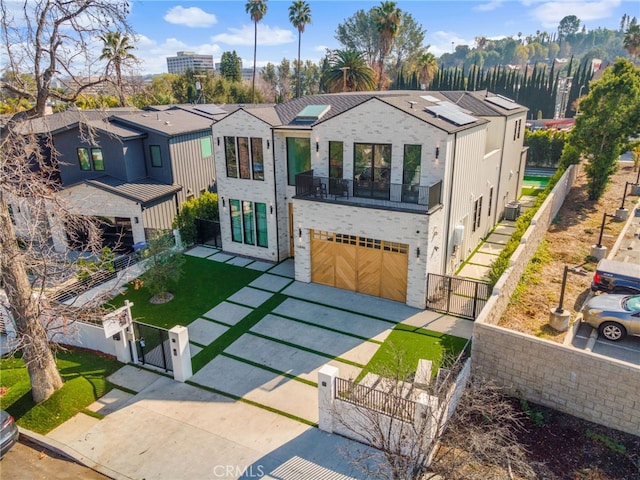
(243, 124)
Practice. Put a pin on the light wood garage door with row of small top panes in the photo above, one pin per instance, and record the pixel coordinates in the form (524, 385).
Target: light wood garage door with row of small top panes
(365, 265)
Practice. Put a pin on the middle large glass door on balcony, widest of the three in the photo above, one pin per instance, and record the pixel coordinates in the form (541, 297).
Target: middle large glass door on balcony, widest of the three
(371, 170)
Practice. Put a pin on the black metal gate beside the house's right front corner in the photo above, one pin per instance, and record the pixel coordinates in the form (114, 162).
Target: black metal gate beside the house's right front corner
(457, 296)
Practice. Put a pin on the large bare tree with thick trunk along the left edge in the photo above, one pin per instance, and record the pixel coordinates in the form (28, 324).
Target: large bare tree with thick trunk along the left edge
(49, 38)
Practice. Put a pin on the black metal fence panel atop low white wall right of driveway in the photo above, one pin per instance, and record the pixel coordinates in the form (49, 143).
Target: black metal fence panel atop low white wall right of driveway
(376, 400)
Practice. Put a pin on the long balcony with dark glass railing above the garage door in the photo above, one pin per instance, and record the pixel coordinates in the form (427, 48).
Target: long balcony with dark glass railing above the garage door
(367, 193)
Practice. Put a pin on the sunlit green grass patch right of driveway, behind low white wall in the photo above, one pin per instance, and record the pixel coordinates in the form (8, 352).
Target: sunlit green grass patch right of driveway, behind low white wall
(406, 344)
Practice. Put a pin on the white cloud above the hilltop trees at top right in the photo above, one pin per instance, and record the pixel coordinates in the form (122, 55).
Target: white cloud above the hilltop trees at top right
(550, 13)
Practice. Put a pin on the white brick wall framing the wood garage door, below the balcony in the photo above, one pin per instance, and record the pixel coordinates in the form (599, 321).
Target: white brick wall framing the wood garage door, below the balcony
(416, 230)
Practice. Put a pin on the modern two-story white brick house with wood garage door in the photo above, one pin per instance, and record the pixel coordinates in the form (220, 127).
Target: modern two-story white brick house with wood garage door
(368, 191)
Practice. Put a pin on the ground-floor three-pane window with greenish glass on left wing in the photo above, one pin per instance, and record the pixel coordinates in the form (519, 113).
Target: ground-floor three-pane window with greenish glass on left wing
(249, 223)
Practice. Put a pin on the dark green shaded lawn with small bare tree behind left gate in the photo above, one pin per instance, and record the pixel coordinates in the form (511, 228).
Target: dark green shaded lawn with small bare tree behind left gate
(203, 285)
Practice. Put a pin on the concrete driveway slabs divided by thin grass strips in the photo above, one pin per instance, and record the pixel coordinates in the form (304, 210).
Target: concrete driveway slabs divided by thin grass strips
(251, 411)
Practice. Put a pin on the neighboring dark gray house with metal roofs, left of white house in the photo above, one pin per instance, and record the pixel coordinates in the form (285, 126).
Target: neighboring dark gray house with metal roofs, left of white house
(127, 168)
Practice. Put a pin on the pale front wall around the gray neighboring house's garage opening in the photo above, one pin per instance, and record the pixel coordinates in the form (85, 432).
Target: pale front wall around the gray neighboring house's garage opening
(87, 200)
